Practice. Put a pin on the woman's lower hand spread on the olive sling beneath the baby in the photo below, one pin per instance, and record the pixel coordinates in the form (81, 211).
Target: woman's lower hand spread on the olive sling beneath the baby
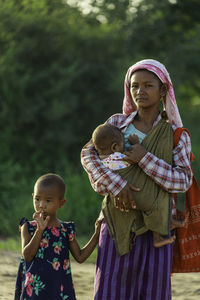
(124, 200)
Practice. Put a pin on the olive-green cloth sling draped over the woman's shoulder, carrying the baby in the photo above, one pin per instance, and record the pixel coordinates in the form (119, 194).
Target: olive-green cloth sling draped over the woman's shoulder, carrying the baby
(152, 202)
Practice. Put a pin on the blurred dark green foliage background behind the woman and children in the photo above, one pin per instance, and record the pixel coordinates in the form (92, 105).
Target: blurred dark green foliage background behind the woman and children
(62, 68)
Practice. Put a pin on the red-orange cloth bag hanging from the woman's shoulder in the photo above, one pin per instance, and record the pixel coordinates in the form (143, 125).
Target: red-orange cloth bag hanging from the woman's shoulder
(186, 250)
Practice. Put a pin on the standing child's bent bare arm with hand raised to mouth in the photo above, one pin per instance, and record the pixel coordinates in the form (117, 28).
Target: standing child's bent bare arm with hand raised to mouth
(30, 244)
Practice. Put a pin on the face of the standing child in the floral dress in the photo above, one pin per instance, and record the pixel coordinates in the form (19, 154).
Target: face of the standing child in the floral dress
(46, 199)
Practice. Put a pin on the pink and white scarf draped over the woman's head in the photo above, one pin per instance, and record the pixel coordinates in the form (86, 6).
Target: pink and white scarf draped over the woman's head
(169, 101)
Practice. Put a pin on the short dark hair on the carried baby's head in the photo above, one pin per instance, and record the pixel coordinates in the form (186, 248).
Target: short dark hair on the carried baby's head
(106, 134)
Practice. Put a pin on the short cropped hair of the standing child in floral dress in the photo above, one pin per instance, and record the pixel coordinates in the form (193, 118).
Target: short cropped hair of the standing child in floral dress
(52, 179)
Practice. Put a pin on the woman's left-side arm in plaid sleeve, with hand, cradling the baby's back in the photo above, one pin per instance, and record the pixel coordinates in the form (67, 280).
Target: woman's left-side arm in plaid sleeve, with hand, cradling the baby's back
(102, 179)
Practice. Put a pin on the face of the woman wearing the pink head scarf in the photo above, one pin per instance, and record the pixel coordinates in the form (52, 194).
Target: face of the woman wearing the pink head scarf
(145, 89)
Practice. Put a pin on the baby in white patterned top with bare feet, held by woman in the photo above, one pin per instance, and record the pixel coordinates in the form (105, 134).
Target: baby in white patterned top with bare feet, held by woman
(108, 141)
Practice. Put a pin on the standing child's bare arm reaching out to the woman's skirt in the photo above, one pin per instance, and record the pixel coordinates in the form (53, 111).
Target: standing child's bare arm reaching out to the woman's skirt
(81, 255)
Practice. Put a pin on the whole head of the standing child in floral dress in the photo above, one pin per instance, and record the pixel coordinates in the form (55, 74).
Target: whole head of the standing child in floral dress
(49, 191)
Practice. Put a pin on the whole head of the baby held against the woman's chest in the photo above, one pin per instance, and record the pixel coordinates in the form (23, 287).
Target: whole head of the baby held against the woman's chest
(108, 139)
